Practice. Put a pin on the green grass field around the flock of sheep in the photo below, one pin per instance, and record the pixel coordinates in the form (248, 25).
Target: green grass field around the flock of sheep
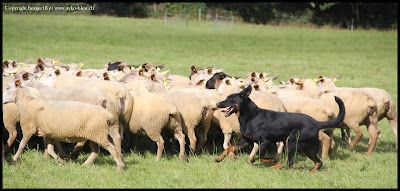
(360, 58)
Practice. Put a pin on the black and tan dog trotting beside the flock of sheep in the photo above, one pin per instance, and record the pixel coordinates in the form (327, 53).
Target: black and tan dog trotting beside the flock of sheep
(267, 127)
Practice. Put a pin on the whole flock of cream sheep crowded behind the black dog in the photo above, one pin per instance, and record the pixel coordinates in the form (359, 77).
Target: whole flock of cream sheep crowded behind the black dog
(63, 102)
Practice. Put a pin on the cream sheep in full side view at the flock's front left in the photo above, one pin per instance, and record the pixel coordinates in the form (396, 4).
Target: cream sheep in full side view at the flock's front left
(58, 121)
